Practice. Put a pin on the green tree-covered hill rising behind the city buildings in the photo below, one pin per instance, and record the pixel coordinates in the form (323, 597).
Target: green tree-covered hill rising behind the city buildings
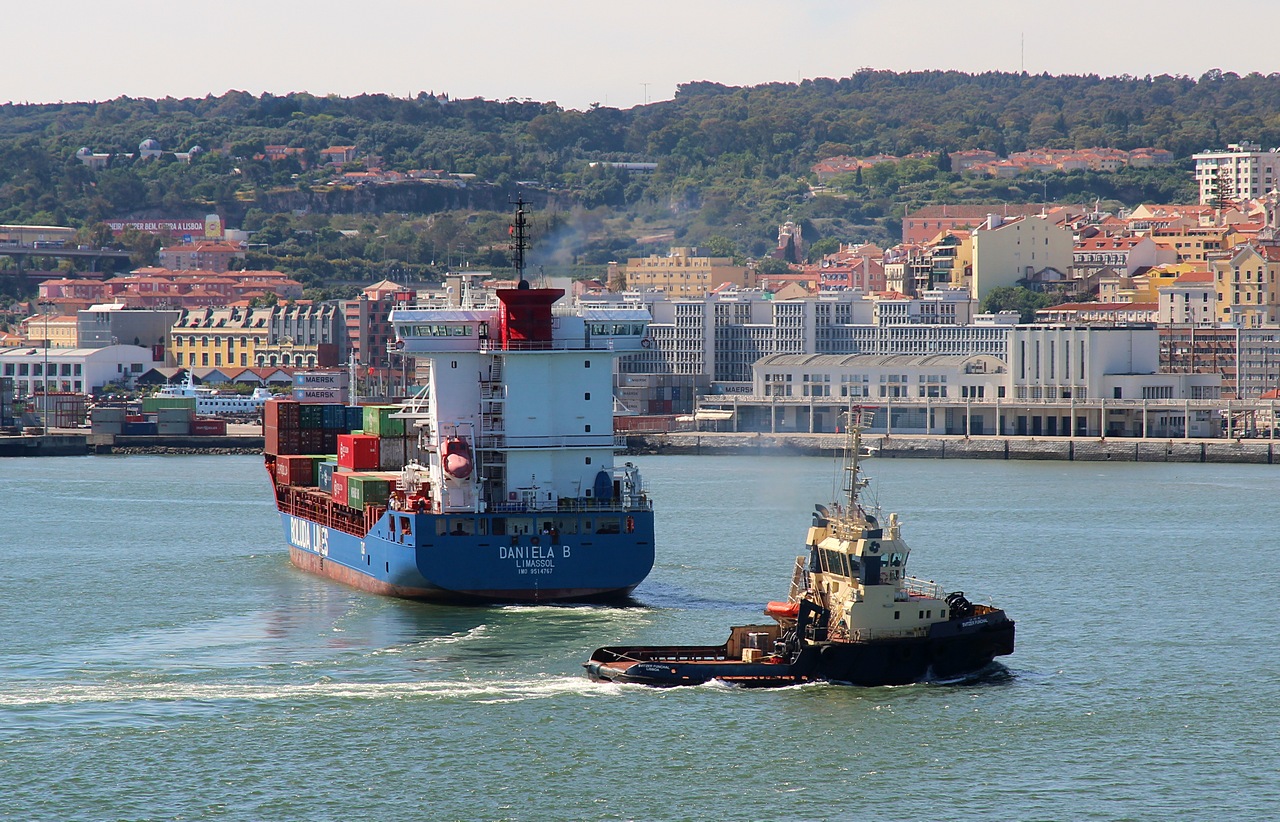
(732, 163)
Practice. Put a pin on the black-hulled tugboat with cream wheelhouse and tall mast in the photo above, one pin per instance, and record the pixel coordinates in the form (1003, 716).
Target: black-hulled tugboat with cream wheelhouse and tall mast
(853, 616)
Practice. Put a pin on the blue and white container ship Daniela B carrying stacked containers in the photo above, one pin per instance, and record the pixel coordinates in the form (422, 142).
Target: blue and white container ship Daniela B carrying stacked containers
(496, 483)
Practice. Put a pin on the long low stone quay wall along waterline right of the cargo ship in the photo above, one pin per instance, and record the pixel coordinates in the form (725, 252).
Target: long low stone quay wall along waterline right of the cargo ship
(1082, 450)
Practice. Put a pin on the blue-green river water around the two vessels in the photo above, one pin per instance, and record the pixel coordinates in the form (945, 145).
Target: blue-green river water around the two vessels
(162, 660)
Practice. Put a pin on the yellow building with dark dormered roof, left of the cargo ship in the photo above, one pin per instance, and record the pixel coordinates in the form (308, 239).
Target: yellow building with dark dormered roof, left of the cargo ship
(220, 337)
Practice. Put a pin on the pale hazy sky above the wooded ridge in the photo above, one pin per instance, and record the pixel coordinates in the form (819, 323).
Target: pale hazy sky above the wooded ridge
(578, 52)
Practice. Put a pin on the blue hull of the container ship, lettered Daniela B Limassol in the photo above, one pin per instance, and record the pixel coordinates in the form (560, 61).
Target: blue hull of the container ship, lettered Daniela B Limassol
(415, 556)
